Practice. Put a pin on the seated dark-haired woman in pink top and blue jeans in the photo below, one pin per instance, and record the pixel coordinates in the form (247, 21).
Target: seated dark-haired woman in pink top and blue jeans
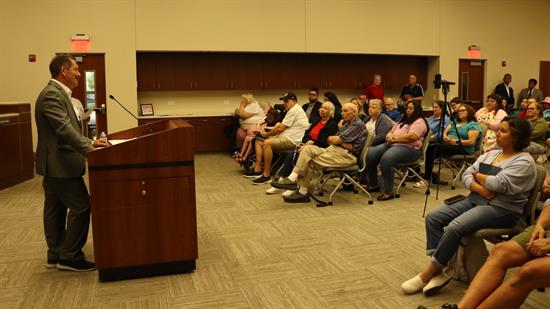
(403, 145)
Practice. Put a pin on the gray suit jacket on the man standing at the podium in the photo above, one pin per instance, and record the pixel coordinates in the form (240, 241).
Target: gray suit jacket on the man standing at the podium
(61, 145)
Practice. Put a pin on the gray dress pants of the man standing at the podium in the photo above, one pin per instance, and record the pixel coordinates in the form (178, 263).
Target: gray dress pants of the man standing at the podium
(66, 234)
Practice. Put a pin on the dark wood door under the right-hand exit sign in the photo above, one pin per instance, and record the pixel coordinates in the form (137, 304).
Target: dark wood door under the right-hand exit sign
(471, 80)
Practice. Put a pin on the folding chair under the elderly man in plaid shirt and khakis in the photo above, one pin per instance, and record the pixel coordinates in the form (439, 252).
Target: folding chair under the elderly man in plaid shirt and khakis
(344, 175)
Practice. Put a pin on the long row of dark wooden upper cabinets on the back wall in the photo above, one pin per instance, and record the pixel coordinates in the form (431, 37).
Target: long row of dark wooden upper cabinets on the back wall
(250, 71)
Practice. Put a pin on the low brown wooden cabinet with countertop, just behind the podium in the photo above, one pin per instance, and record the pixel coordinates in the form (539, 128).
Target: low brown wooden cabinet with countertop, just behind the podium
(209, 132)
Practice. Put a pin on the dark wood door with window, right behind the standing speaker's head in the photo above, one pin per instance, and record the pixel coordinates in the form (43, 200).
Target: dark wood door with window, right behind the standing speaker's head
(91, 91)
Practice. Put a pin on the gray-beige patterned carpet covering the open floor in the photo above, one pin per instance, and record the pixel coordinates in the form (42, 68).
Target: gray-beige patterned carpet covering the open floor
(255, 251)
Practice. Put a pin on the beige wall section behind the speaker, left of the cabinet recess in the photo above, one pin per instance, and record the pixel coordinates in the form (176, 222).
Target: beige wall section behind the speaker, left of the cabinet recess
(45, 27)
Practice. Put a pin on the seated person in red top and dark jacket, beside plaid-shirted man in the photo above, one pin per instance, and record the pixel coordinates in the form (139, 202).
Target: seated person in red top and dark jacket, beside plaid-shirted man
(316, 135)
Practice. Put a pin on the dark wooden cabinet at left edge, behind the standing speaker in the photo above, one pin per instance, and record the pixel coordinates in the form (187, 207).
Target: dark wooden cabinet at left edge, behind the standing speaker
(16, 155)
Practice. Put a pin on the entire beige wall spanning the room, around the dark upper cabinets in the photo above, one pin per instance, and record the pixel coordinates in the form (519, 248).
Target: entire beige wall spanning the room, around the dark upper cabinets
(120, 27)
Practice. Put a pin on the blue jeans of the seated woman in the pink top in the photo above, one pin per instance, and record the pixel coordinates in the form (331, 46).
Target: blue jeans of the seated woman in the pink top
(387, 156)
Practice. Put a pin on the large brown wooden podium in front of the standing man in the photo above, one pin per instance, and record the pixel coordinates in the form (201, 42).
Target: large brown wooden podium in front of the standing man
(143, 202)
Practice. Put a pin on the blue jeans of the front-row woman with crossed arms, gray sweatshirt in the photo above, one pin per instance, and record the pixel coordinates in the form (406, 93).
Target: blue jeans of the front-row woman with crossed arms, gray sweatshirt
(447, 224)
